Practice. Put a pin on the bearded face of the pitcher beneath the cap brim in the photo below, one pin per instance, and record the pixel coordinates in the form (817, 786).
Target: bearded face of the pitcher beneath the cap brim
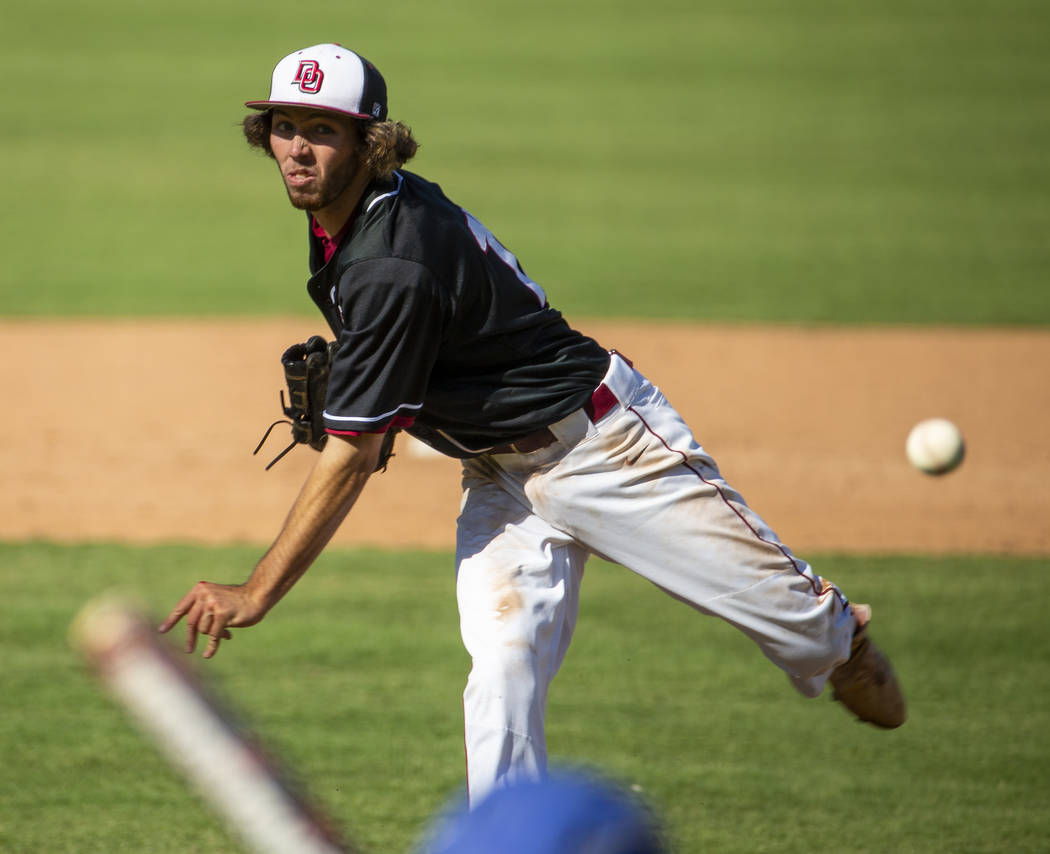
(318, 156)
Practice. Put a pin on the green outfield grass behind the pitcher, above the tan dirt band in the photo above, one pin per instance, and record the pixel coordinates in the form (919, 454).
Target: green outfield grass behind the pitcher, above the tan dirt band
(759, 161)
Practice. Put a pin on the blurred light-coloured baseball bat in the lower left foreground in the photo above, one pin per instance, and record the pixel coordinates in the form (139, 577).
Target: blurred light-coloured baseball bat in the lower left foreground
(223, 760)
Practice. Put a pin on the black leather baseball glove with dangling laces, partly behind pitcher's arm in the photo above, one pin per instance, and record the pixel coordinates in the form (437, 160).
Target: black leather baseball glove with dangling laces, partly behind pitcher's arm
(307, 368)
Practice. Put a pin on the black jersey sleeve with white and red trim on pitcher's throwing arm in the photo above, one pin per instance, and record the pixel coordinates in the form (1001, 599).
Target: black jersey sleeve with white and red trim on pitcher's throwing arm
(394, 316)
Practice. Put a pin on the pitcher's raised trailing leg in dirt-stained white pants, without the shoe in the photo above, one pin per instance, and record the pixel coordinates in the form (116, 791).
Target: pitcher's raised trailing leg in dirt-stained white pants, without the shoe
(638, 490)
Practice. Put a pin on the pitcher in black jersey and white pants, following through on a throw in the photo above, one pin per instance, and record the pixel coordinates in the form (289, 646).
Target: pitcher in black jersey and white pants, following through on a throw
(568, 450)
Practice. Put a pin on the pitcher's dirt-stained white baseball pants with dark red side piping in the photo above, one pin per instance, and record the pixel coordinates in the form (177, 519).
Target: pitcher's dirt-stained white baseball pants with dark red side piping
(635, 489)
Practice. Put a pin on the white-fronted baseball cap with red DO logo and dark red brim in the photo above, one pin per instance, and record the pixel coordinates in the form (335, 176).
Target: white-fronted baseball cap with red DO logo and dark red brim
(328, 77)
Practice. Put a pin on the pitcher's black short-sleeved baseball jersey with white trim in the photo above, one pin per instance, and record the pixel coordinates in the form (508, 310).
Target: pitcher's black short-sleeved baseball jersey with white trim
(440, 331)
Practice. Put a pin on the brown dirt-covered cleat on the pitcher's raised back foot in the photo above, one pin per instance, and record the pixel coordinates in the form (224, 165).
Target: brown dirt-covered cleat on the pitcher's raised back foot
(868, 686)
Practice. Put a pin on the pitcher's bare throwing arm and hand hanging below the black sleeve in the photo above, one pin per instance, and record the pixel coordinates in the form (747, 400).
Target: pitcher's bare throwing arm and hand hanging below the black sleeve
(329, 493)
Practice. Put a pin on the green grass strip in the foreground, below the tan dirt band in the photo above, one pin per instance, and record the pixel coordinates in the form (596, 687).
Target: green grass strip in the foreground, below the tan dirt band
(355, 681)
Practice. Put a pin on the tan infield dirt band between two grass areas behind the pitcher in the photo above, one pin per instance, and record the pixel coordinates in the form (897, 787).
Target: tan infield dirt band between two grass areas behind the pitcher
(142, 431)
